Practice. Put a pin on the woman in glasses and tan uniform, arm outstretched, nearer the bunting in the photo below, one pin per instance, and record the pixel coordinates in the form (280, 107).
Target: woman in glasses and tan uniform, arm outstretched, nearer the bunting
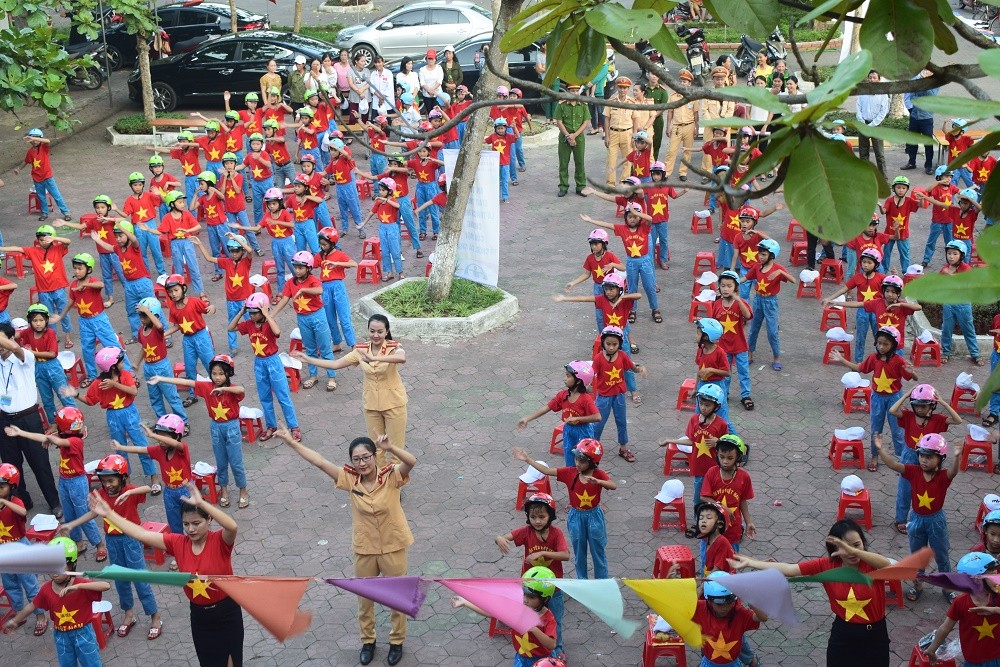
(380, 532)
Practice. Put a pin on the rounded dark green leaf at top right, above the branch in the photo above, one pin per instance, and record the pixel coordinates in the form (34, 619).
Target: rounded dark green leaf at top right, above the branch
(912, 42)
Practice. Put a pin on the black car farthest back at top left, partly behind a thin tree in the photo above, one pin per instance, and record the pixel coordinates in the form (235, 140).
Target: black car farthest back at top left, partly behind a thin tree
(187, 24)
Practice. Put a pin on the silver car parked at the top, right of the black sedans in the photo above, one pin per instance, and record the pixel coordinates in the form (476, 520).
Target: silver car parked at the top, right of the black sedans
(413, 28)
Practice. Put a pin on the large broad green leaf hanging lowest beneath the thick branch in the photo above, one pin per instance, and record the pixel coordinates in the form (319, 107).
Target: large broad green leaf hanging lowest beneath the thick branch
(829, 191)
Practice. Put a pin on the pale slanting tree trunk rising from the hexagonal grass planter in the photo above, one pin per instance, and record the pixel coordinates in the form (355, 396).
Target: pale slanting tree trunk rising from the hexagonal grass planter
(446, 252)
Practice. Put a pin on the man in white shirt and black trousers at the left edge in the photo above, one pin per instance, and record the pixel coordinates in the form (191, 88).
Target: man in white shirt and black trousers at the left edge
(19, 407)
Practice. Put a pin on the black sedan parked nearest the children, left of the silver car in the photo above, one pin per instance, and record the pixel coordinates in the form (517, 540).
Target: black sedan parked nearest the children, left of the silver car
(234, 63)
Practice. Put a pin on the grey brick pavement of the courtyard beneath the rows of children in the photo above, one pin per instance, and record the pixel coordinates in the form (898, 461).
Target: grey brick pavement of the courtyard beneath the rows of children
(464, 401)
